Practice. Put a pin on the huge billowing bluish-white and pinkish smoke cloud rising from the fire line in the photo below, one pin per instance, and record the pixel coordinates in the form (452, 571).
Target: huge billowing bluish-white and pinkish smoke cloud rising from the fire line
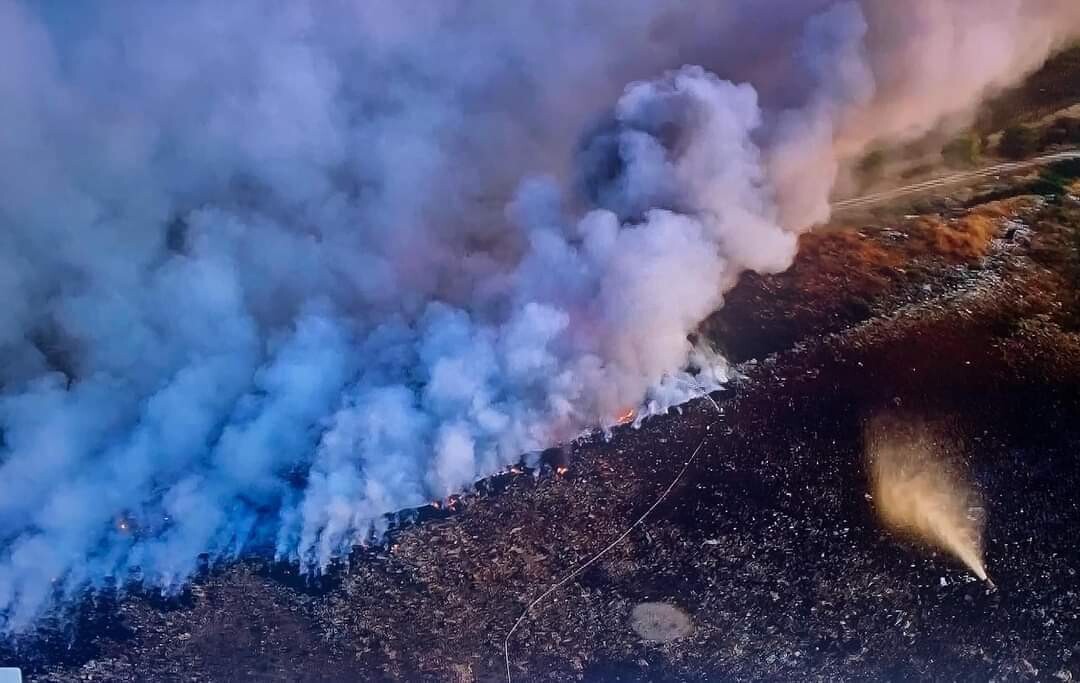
(272, 272)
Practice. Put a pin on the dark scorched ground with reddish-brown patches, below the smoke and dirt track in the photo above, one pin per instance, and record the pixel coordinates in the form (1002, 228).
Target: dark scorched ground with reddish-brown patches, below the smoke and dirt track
(767, 547)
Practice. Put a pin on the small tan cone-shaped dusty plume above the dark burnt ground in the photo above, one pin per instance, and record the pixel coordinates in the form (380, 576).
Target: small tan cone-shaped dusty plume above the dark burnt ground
(921, 490)
